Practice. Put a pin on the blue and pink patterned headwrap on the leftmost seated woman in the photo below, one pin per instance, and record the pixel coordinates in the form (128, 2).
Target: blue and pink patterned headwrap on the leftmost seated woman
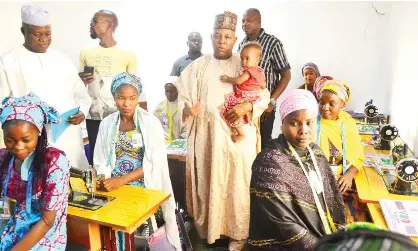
(29, 108)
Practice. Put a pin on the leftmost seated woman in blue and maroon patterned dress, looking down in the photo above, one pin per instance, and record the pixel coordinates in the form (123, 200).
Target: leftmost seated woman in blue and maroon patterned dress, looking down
(34, 175)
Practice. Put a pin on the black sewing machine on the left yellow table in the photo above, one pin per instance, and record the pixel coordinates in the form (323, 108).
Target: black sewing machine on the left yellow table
(87, 200)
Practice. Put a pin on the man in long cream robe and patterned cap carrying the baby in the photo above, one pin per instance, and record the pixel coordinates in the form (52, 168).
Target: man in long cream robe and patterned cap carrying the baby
(218, 171)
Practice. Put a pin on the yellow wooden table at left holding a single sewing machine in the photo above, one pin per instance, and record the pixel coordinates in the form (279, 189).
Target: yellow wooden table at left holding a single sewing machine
(131, 207)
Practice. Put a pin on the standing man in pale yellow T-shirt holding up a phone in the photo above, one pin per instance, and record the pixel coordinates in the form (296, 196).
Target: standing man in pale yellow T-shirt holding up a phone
(100, 64)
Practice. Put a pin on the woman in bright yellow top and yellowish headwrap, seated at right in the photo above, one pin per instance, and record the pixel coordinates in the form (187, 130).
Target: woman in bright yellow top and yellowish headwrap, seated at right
(337, 133)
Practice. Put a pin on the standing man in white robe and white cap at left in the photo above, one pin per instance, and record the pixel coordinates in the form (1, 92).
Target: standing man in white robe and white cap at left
(51, 75)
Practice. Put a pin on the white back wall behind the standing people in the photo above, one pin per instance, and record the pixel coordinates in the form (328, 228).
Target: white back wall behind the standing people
(348, 40)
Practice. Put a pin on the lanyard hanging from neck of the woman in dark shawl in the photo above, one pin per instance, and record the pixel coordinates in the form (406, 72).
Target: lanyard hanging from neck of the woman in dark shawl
(326, 218)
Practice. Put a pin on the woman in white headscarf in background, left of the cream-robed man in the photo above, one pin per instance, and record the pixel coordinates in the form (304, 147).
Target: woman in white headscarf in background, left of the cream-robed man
(169, 112)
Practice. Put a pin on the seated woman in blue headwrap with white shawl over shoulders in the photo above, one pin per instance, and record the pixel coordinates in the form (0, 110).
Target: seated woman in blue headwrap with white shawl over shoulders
(130, 150)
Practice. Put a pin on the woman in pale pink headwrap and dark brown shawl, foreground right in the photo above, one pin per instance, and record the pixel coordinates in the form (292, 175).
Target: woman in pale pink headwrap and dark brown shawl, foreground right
(294, 196)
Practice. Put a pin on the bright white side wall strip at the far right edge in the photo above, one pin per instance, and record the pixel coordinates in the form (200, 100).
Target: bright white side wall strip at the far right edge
(404, 55)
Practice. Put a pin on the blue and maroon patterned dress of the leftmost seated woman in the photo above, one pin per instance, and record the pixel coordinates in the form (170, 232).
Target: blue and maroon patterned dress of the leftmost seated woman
(51, 195)
